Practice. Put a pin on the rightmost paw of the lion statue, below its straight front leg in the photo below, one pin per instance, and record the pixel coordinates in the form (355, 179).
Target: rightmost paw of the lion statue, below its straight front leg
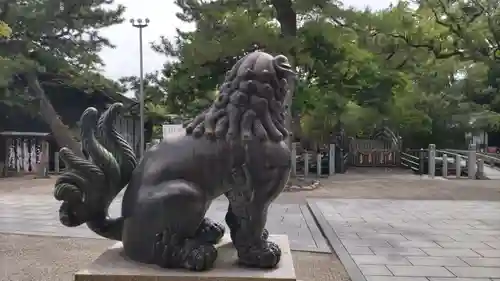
(267, 255)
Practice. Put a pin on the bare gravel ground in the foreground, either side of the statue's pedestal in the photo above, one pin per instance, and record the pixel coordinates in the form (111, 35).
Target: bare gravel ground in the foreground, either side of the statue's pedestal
(39, 258)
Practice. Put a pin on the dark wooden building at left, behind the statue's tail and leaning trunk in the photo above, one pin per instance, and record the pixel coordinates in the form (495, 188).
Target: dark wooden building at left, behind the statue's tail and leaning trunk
(24, 136)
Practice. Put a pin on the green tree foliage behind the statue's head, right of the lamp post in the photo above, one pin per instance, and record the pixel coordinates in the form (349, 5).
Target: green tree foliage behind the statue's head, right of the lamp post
(428, 70)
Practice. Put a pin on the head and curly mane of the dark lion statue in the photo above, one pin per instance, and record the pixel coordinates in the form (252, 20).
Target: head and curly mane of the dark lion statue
(250, 102)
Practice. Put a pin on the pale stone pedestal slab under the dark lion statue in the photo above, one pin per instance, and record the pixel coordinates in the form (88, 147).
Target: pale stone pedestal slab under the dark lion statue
(112, 265)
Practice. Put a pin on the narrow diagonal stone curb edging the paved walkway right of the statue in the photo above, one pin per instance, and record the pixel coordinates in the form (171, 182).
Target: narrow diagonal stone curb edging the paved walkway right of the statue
(333, 240)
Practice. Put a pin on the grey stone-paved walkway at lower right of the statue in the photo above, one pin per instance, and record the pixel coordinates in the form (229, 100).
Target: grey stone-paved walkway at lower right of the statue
(410, 240)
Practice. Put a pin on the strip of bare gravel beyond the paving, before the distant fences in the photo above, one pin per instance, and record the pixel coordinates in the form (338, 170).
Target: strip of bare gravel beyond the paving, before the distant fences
(360, 184)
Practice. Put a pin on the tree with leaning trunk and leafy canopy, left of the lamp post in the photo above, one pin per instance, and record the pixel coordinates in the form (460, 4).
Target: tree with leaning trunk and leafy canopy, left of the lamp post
(55, 37)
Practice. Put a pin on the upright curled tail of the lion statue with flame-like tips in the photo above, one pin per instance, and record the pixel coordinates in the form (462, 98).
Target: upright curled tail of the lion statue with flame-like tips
(88, 186)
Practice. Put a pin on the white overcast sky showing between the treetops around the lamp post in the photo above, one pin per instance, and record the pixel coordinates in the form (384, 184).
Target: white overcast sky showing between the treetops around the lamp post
(124, 59)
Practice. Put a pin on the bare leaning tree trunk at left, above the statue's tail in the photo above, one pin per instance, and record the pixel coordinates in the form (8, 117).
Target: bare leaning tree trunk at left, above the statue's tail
(61, 132)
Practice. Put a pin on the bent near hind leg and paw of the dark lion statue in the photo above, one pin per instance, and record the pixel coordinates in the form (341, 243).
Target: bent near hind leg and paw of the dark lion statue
(164, 226)
